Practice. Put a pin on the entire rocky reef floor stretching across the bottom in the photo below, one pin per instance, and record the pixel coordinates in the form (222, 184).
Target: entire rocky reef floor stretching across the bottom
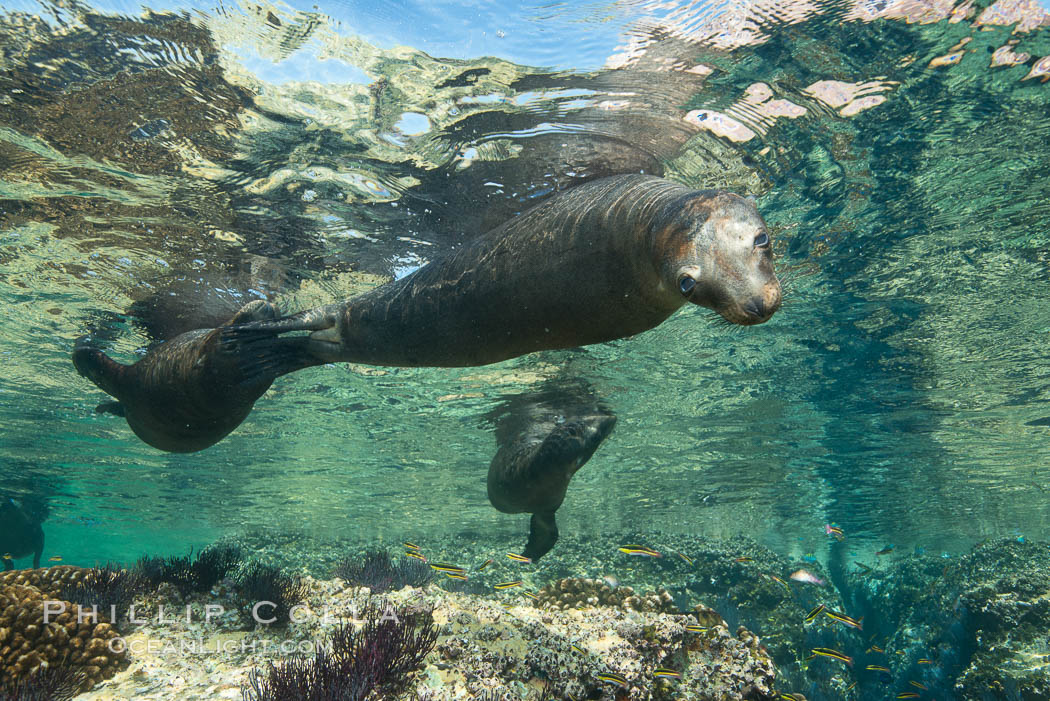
(724, 622)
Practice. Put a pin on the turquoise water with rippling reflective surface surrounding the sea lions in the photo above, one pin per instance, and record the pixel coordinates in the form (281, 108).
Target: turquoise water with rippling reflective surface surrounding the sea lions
(160, 167)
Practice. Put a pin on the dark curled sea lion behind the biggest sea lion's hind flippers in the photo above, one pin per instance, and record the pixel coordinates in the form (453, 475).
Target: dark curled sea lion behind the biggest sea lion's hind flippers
(186, 394)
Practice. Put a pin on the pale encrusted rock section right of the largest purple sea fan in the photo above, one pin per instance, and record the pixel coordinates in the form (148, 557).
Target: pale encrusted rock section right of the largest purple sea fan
(577, 650)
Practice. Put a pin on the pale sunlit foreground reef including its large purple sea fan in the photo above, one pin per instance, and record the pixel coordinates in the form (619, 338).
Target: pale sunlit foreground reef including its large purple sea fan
(486, 647)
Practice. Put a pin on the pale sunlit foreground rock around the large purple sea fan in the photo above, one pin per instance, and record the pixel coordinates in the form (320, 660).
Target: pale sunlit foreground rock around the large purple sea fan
(503, 646)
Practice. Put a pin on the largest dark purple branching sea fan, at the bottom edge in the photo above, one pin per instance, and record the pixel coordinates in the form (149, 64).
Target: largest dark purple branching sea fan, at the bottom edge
(371, 663)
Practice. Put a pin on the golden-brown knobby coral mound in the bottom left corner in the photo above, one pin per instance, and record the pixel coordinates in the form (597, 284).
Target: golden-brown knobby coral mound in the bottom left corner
(28, 644)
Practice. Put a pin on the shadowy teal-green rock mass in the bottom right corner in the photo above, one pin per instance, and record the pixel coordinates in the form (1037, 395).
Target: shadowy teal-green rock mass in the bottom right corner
(971, 629)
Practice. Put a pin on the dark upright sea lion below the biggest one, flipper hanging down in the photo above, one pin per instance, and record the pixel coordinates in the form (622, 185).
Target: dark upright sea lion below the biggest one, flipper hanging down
(543, 439)
